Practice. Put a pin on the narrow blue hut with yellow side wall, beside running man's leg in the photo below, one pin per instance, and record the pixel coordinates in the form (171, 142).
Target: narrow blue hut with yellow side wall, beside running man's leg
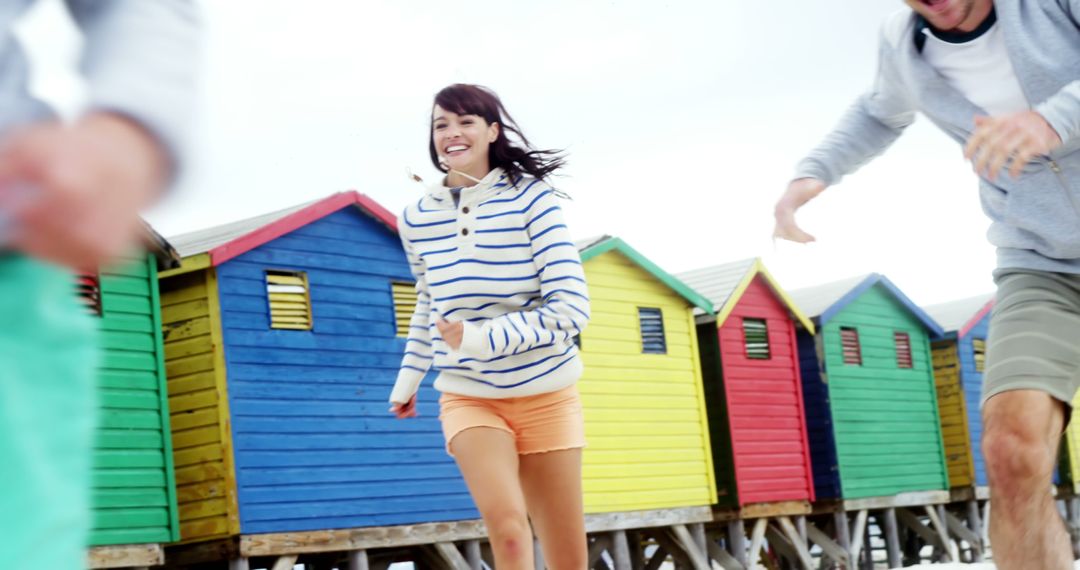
(960, 356)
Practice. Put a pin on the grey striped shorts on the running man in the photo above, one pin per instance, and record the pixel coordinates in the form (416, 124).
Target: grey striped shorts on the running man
(1035, 335)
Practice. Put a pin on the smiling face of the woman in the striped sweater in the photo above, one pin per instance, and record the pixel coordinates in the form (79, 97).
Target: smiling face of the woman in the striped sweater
(463, 141)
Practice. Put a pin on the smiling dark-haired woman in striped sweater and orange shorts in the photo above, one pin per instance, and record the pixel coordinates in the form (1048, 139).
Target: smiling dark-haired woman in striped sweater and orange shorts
(502, 297)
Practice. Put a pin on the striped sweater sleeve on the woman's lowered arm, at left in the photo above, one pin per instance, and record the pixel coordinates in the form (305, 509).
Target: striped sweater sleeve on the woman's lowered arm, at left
(418, 356)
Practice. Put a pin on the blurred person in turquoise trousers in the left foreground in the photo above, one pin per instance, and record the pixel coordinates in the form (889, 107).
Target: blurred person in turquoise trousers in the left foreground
(70, 200)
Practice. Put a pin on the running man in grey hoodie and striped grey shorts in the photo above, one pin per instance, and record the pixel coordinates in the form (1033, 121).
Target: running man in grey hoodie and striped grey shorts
(1003, 79)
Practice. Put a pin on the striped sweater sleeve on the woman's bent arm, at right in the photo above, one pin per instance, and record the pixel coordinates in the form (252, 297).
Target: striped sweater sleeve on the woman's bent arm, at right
(564, 310)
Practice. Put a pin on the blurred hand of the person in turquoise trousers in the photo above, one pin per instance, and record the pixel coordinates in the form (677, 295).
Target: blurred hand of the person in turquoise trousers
(74, 193)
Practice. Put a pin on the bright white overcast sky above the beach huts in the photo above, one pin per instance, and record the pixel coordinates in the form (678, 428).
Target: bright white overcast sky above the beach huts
(683, 123)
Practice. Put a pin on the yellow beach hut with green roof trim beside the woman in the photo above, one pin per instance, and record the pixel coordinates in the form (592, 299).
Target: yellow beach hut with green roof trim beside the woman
(642, 390)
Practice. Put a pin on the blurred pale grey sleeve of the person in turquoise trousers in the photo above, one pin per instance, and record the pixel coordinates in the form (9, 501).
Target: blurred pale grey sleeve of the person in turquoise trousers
(141, 60)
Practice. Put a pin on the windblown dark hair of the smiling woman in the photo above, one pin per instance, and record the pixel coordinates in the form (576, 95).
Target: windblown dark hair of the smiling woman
(463, 99)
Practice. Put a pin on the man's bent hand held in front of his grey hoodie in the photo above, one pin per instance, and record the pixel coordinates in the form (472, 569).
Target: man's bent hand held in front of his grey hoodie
(1019, 137)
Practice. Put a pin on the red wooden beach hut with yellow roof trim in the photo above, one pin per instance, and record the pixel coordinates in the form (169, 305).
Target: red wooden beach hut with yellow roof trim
(753, 387)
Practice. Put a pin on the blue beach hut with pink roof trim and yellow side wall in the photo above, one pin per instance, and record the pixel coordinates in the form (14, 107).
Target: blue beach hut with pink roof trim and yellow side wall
(283, 337)
